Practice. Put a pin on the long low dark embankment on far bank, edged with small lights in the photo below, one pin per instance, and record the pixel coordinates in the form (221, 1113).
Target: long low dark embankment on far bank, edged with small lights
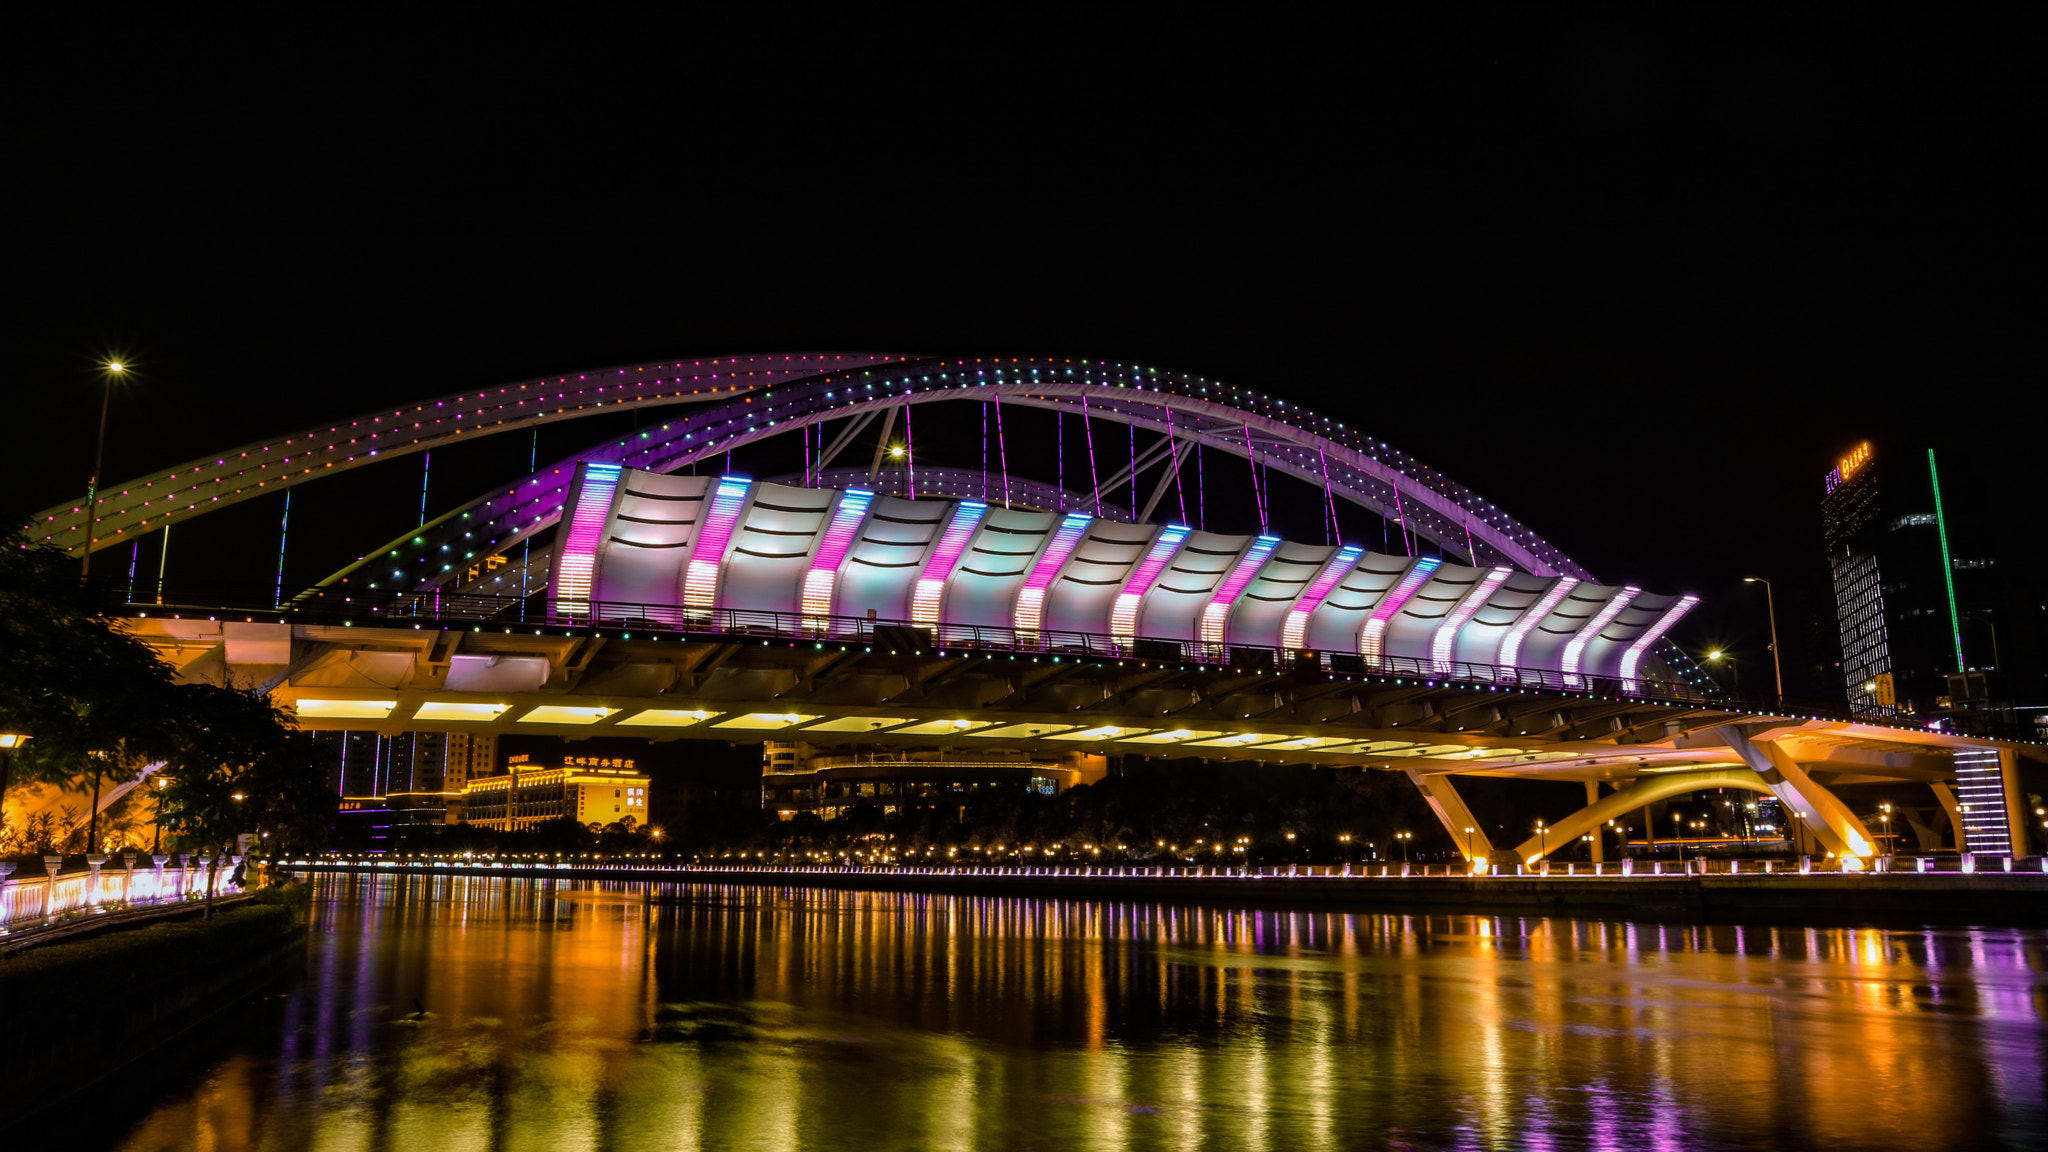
(1877, 899)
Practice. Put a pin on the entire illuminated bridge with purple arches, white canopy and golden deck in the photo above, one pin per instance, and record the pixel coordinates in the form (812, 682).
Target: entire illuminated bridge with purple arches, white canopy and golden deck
(935, 606)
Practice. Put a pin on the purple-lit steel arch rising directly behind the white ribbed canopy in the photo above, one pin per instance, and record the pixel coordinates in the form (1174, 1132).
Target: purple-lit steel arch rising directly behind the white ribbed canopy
(1238, 421)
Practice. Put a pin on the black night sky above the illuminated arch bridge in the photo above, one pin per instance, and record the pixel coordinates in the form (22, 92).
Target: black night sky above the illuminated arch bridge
(1637, 284)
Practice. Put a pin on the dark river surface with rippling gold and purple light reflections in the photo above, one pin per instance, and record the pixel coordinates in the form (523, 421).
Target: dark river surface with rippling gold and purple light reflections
(568, 1018)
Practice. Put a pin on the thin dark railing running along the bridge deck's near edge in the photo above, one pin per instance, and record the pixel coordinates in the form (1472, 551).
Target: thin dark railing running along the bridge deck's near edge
(630, 620)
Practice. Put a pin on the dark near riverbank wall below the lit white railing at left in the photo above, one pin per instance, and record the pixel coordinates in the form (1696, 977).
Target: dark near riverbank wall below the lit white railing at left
(81, 1012)
